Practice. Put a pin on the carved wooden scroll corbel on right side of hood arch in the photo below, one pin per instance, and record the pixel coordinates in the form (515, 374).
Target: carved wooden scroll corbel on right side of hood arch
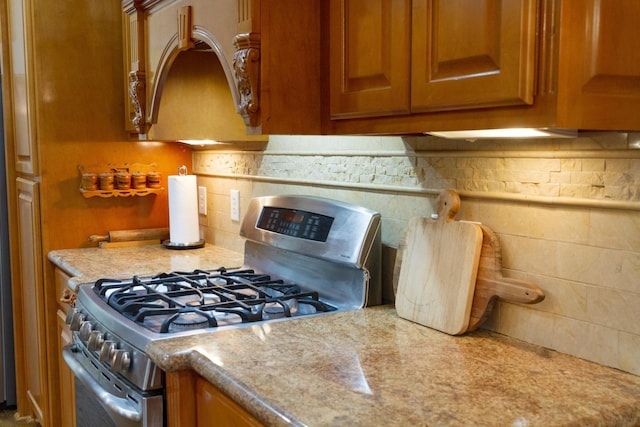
(246, 65)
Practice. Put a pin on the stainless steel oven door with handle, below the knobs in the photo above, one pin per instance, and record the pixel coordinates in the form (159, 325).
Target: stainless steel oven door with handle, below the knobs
(103, 399)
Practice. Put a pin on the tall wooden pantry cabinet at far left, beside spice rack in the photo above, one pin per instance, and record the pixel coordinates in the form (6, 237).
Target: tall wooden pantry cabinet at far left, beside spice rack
(61, 65)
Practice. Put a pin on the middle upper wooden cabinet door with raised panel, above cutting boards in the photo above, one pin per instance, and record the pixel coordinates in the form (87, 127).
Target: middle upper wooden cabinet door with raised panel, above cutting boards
(472, 53)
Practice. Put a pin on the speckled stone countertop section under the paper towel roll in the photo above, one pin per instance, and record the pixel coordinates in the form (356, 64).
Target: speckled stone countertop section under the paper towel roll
(87, 265)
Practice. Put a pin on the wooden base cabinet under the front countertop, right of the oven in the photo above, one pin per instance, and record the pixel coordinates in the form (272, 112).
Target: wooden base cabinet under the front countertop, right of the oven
(194, 401)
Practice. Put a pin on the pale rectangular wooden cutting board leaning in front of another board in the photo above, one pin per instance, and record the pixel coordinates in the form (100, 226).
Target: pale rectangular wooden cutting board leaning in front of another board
(438, 269)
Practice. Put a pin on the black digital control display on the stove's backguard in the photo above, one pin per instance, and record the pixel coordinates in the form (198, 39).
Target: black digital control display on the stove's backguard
(295, 223)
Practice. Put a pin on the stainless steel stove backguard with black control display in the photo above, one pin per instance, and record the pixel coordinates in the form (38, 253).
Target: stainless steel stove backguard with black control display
(341, 261)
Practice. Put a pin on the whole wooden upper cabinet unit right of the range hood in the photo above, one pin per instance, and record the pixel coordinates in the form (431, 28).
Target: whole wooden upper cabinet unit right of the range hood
(483, 64)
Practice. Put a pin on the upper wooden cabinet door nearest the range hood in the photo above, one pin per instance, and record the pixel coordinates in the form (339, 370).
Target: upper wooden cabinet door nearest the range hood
(369, 56)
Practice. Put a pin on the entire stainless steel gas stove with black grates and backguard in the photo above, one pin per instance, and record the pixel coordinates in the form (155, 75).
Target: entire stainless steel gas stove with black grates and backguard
(304, 256)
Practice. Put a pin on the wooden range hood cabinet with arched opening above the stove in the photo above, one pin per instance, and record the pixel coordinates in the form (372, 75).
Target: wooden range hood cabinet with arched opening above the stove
(266, 67)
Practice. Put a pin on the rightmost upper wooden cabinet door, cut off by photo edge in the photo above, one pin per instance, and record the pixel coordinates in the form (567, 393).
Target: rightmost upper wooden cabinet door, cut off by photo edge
(599, 71)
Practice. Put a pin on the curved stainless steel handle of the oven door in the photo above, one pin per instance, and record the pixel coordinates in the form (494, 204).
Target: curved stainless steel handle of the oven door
(112, 403)
